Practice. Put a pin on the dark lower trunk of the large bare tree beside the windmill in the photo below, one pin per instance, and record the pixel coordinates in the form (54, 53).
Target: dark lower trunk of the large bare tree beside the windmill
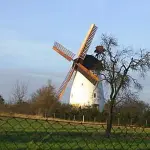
(109, 122)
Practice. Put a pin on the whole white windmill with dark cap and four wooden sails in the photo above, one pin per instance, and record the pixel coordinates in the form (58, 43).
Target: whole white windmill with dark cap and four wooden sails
(86, 88)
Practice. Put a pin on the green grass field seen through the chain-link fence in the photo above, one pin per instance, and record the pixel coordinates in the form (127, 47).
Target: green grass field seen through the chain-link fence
(33, 134)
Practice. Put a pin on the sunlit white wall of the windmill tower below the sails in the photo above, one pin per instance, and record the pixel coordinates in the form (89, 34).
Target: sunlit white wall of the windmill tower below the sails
(82, 91)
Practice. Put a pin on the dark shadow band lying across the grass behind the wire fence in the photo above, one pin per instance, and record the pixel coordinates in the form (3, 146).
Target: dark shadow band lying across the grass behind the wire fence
(37, 136)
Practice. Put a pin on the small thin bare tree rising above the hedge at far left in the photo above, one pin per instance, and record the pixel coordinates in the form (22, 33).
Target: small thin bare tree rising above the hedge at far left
(19, 92)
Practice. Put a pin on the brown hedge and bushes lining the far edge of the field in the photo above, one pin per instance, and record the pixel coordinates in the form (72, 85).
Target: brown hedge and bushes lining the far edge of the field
(44, 102)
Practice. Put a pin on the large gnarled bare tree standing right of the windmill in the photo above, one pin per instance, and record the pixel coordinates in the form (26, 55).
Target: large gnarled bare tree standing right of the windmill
(118, 68)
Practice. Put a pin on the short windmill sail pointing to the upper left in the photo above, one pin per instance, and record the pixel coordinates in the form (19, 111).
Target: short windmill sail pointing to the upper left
(63, 51)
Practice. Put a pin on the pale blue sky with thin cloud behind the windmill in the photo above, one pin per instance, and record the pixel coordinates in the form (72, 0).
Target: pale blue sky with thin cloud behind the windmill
(28, 29)
